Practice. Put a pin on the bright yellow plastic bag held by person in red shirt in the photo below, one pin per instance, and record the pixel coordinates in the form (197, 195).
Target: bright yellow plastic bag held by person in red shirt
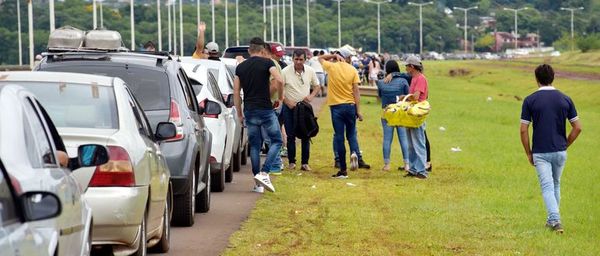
(410, 114)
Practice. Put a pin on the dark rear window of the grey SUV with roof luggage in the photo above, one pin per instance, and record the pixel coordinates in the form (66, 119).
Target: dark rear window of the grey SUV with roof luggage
(150, 87)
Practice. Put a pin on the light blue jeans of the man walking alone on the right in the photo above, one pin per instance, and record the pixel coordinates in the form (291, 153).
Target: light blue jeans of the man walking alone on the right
(549, 167)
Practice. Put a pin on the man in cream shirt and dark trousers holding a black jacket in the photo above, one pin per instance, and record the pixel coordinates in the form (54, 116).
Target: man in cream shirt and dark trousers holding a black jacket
(297, 82)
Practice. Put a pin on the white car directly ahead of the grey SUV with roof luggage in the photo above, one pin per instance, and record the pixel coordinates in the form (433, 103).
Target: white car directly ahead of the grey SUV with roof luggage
(221, 125)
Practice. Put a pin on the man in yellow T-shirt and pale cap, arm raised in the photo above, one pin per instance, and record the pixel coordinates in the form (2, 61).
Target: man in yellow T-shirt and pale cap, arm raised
(344, 102)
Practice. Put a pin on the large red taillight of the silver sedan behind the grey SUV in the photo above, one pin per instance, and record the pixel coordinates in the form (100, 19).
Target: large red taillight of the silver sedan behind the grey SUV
(118, 171)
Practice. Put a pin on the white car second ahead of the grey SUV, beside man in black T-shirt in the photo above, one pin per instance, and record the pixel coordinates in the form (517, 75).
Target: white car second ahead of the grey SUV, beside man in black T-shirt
(224, 74)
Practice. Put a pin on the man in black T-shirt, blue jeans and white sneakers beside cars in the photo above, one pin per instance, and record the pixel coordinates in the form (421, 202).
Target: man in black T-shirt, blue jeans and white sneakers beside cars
(253, 76)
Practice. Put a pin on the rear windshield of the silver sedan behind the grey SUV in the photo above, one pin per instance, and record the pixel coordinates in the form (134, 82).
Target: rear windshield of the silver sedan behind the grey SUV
(77, 105)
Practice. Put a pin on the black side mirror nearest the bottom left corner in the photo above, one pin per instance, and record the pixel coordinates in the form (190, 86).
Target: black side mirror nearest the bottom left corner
(40, 205)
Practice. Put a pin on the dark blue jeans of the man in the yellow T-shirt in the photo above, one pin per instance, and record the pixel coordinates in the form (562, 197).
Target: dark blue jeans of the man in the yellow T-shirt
(343, 119)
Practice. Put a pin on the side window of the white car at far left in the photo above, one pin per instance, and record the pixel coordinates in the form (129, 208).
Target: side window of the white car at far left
(40, 150)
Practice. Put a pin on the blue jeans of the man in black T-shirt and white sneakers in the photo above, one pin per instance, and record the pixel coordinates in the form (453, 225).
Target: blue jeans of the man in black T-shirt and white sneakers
(255, 120)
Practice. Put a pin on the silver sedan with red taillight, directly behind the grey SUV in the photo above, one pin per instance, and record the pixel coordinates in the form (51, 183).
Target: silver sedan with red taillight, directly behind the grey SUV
(131, 194)
